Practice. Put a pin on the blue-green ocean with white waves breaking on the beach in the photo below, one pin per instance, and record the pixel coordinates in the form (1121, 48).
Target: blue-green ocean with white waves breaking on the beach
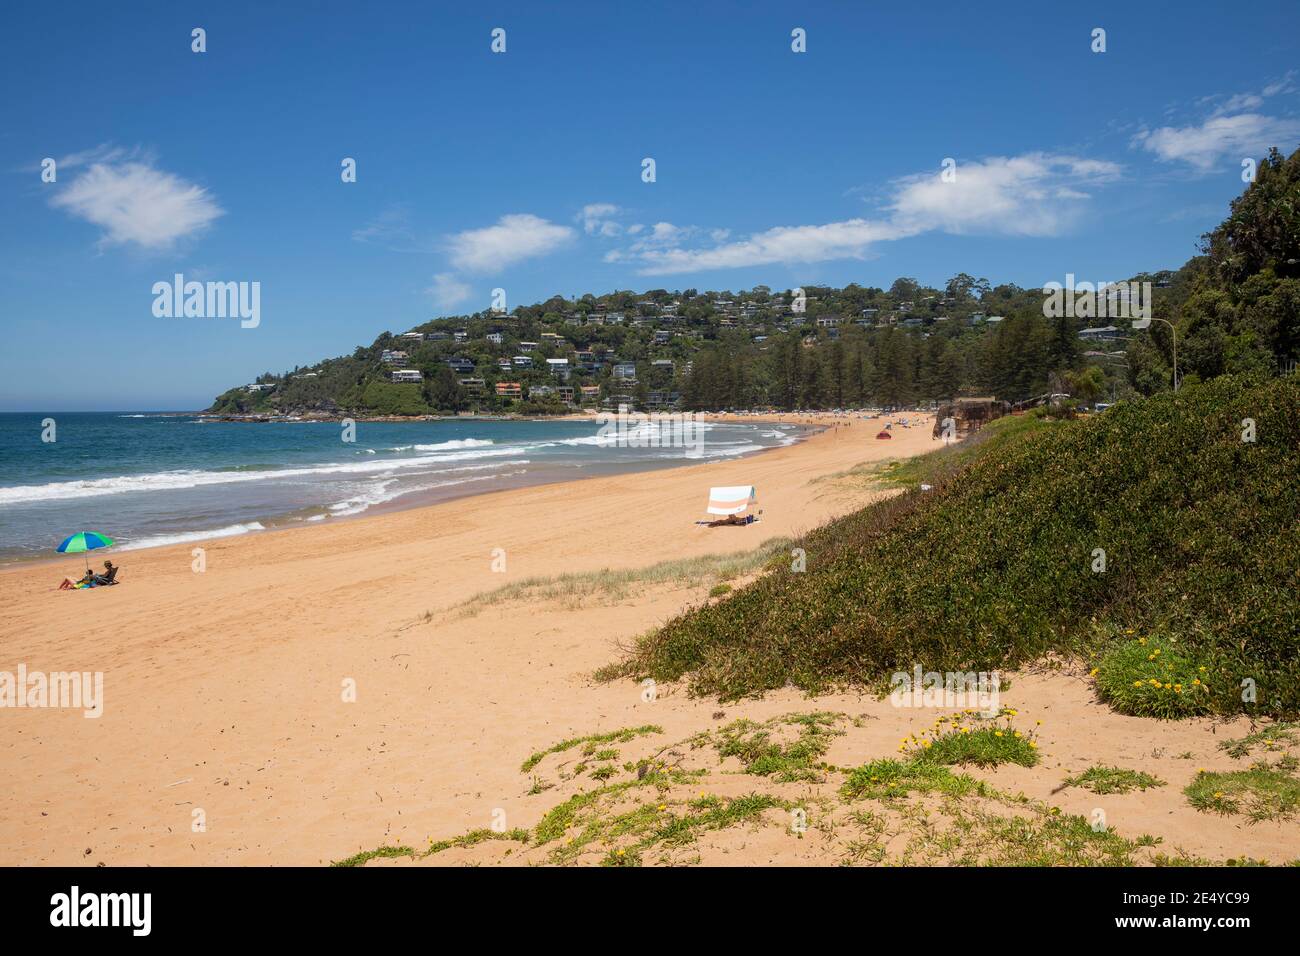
(151, 479)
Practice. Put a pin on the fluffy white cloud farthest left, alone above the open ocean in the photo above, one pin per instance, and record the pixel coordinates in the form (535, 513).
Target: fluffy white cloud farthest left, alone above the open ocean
(136, 202)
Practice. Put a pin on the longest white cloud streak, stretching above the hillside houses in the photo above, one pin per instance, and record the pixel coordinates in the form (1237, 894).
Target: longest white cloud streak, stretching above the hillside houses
(1035, 194)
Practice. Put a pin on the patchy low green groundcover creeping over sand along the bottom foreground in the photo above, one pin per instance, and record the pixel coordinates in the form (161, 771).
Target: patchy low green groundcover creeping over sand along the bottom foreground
(697, 801)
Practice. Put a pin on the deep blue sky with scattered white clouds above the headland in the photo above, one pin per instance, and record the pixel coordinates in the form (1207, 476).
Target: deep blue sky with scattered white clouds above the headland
(523, 170)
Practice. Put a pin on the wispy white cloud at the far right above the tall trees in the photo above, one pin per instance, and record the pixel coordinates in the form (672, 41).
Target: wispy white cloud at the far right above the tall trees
(1236, 129)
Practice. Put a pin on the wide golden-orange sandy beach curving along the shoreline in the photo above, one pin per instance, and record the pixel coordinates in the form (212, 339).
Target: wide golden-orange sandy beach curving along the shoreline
(224, 690)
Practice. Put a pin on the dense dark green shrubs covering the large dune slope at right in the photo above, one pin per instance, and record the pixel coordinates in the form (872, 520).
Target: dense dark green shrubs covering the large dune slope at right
(1156, 542)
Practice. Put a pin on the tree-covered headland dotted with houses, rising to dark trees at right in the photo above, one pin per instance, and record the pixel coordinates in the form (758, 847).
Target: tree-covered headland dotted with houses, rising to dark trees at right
(1236, 310)
